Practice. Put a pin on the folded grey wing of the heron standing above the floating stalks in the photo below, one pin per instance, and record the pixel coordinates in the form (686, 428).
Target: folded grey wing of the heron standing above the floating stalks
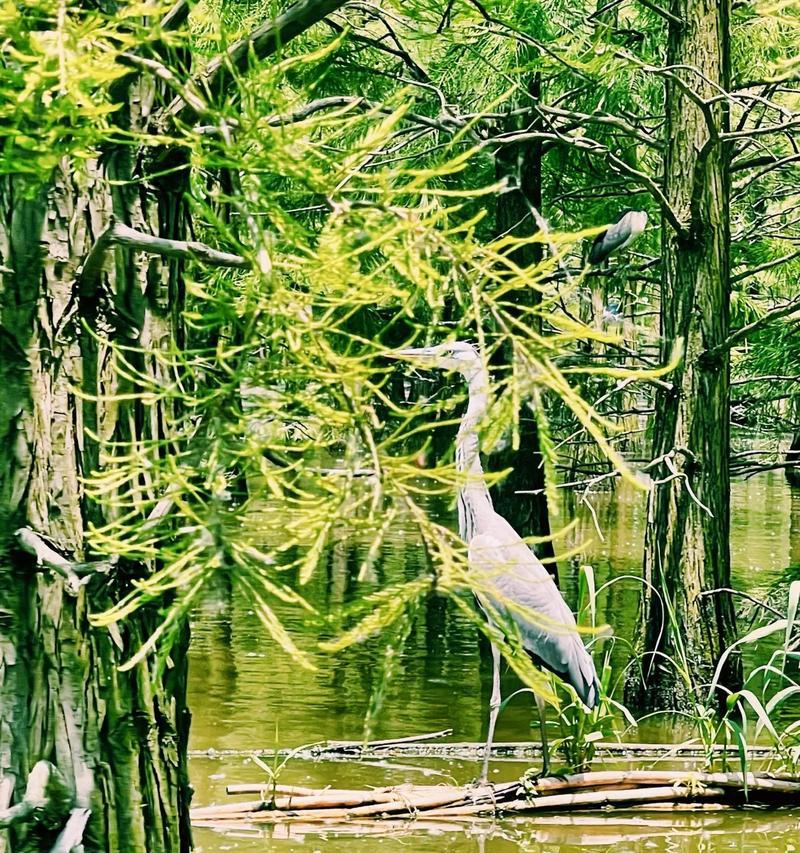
(513, 581)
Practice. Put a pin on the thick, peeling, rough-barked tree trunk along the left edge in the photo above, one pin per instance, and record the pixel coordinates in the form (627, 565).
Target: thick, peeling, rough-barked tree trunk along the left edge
(118, 739)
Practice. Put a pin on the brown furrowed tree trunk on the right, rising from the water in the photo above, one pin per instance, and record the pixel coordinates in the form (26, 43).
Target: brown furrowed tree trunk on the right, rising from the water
(687, 543)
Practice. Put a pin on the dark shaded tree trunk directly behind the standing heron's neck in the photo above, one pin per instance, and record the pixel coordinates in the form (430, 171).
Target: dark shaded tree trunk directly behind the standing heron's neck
(527, 513)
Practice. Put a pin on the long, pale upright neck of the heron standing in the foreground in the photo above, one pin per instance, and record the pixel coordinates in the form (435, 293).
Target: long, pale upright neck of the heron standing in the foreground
(473, 496)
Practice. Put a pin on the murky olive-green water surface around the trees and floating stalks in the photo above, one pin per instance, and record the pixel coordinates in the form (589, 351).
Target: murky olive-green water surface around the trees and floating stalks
(246, 694)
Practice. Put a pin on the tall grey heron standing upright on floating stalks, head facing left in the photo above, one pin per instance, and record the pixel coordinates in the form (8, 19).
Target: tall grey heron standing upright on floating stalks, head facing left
(514, 583)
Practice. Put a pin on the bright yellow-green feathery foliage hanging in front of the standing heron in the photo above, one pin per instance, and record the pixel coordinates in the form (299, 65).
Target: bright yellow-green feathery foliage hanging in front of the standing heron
(365, 228)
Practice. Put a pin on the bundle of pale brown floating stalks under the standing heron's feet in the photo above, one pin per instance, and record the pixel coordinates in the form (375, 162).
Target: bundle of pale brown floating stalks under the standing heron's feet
(597, 790)
